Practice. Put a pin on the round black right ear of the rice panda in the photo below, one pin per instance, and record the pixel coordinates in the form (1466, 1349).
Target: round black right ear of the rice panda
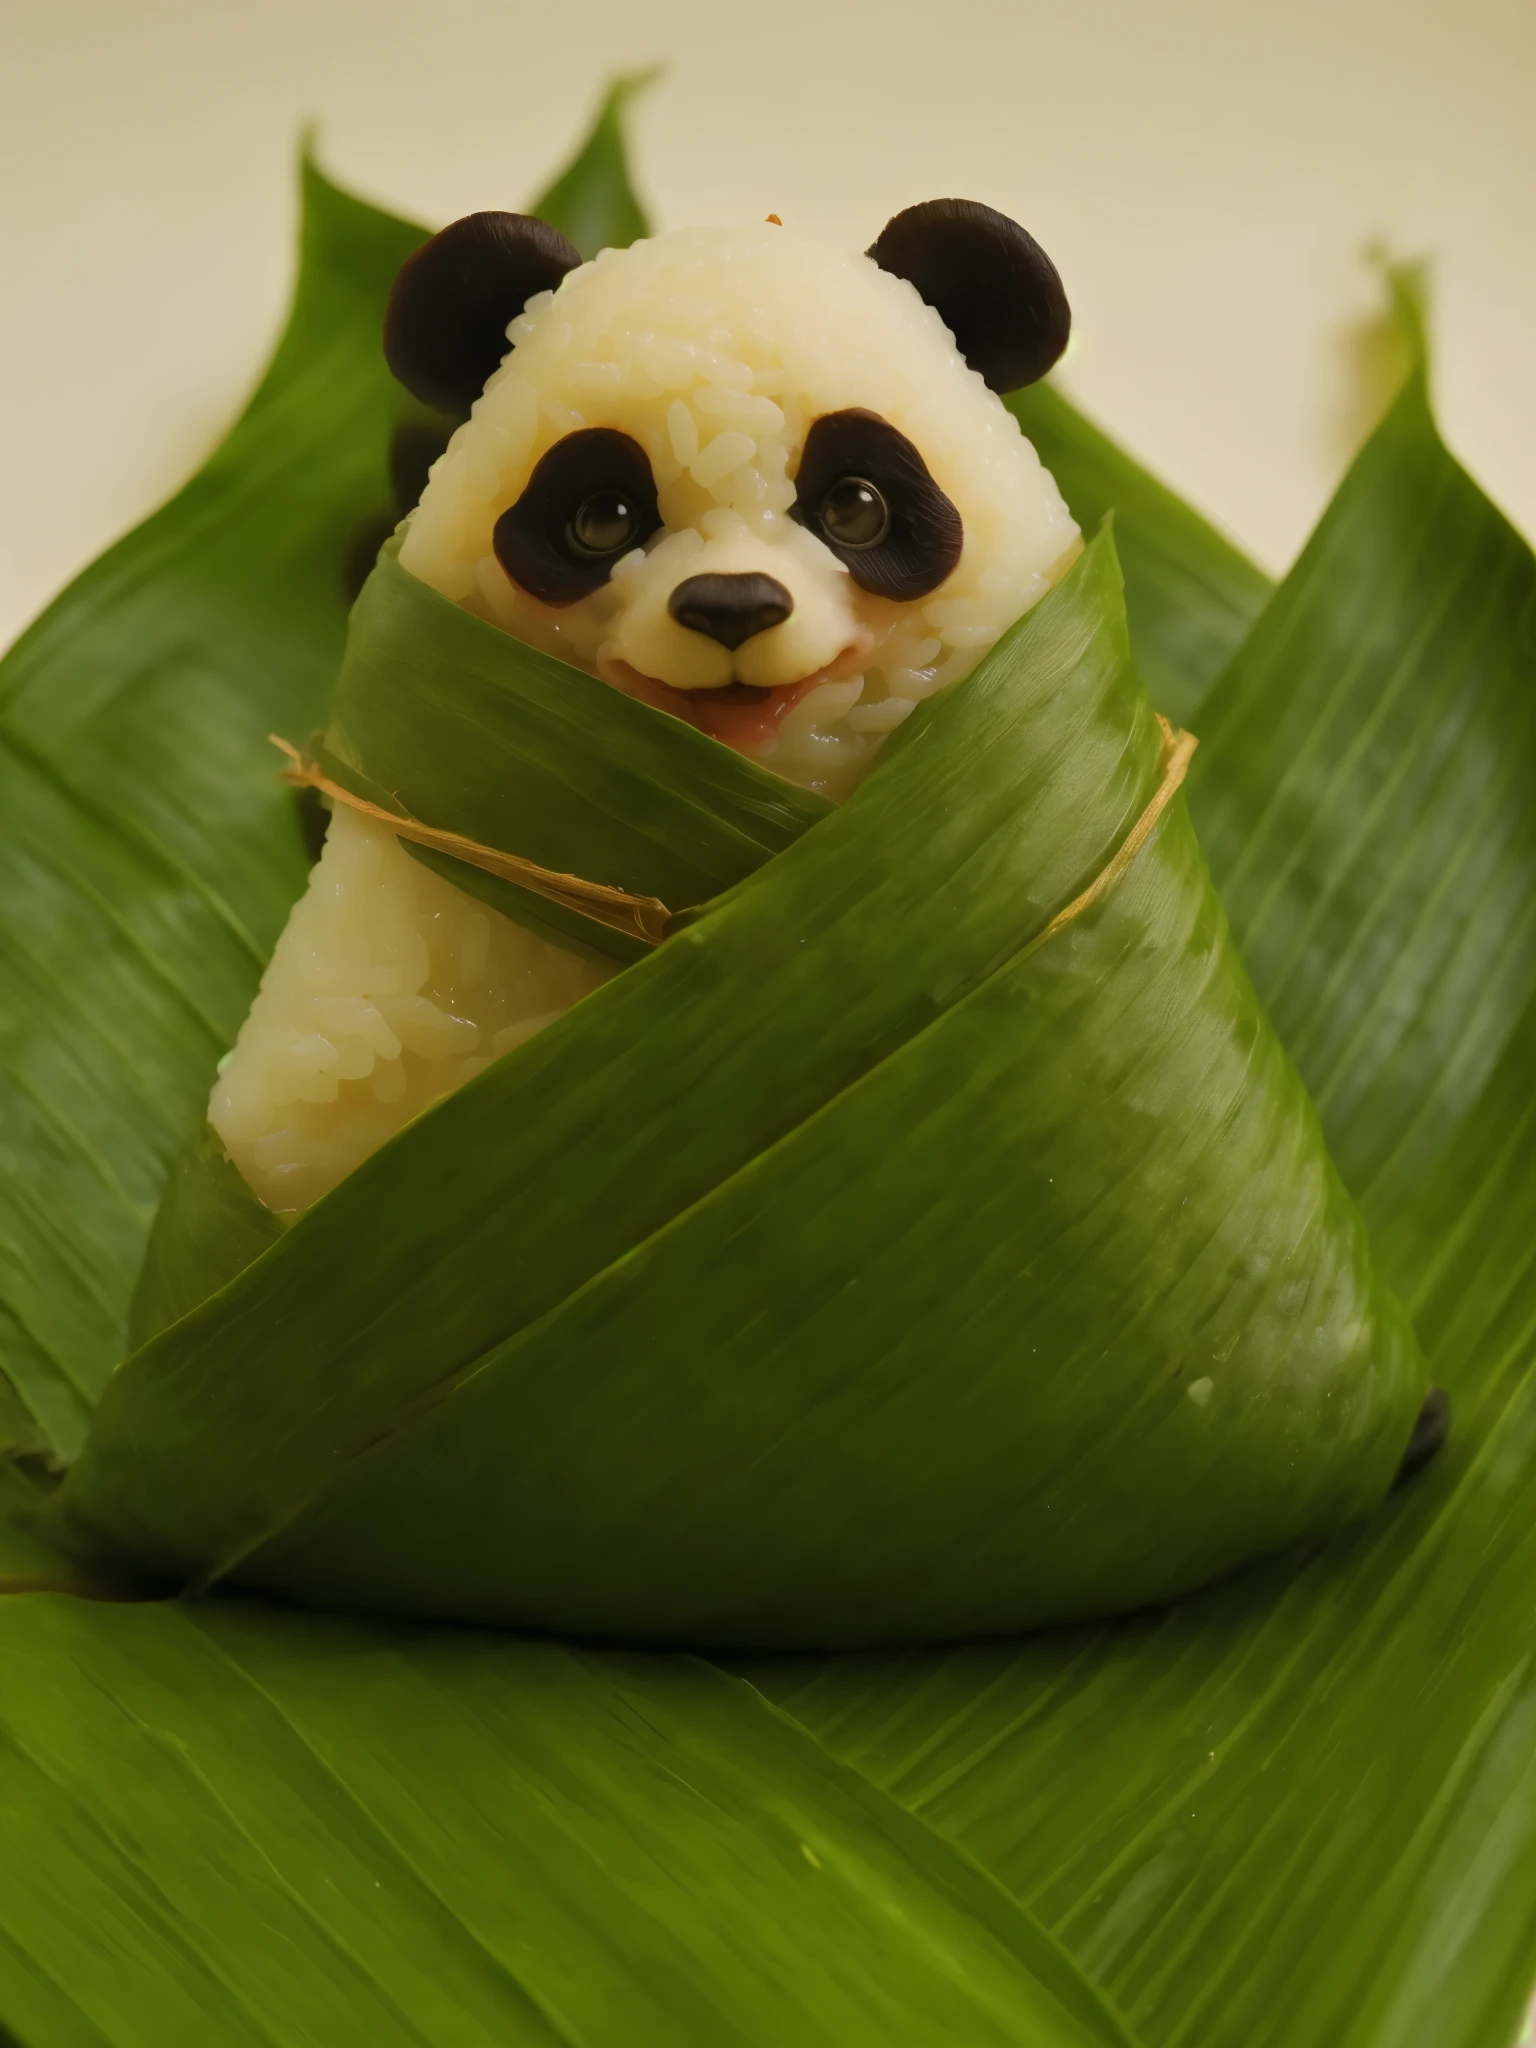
(990, 284)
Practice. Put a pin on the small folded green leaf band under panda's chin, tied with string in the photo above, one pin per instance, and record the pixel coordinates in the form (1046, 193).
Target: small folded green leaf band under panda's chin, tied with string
(454, 722)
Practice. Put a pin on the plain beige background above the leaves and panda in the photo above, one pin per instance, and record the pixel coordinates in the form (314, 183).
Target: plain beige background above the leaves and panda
(1207, 175)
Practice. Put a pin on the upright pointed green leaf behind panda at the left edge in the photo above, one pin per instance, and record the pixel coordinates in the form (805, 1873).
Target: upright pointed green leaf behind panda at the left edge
(148, 853)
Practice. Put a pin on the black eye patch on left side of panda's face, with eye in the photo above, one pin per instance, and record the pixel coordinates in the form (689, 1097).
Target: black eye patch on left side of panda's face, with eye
(589, 503)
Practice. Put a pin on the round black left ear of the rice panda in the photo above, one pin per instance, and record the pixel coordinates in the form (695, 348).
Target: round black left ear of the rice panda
(456, 298)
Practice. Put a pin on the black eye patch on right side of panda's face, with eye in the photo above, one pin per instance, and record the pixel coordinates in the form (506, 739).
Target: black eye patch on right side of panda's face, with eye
(865, 490)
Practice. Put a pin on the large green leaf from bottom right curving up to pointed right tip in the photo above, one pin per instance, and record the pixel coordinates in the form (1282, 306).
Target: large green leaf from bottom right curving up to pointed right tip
(1306, 1809)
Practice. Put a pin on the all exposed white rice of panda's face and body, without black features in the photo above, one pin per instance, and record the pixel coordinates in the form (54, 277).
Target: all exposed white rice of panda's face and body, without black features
(716, 349)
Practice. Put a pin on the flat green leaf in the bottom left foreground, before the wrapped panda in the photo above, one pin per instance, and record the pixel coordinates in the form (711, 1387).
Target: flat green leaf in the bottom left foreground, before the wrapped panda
(232, 1826)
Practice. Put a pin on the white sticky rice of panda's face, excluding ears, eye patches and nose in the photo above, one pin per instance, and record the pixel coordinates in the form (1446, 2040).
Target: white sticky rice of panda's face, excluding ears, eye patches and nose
(718, 349)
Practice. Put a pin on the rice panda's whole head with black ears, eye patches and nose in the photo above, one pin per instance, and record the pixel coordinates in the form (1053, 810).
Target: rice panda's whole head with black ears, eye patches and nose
(742, 476)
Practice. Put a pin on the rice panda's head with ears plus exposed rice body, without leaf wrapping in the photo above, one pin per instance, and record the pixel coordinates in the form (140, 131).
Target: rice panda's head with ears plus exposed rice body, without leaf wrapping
(751, 480)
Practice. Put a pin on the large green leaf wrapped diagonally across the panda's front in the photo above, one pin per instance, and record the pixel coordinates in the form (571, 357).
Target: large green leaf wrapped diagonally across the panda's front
(931, 1238)
